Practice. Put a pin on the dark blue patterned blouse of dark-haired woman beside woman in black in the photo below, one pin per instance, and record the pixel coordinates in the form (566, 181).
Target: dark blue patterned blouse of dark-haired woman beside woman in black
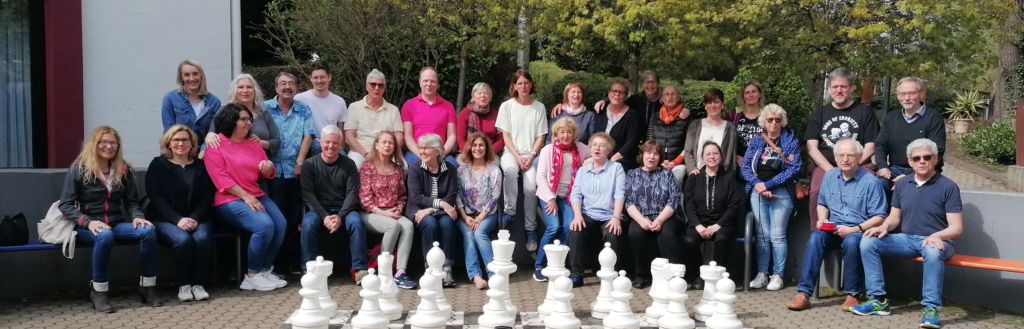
(652, 191)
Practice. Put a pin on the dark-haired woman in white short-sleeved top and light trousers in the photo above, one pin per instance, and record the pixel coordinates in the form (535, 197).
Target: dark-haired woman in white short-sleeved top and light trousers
(524, 125)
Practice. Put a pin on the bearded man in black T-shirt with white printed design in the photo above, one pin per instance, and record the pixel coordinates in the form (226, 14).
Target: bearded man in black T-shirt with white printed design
(842, 119)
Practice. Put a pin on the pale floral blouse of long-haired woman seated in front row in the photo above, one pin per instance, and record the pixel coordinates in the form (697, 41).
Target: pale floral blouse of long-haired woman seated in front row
(480, 191)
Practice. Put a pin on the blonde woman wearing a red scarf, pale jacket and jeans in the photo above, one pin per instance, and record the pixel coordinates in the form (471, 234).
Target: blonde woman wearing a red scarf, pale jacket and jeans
(557, 172)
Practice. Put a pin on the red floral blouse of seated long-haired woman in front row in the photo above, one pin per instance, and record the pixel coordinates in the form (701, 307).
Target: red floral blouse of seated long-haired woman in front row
(381, 191)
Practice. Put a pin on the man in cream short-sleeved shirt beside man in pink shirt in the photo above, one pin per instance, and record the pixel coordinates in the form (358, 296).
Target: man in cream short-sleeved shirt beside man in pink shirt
(370, 116)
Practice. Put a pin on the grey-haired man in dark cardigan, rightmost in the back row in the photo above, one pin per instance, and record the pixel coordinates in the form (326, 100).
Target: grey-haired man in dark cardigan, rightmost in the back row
(902, 128)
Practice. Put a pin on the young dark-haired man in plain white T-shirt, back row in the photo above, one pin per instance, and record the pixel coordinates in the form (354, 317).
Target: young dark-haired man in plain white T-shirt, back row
(328, 108)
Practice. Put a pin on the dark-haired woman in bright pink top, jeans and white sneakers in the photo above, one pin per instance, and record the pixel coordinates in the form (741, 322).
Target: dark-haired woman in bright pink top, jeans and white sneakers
(235, 167)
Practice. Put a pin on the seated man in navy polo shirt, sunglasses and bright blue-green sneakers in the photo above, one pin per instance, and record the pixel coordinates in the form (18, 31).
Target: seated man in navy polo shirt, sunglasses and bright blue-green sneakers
(930, 209)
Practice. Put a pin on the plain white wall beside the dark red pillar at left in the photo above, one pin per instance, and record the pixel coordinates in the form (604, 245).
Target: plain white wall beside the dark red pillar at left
(131, 55)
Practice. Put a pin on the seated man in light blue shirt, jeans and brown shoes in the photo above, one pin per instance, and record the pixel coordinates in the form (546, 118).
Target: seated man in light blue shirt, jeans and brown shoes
(852, 200)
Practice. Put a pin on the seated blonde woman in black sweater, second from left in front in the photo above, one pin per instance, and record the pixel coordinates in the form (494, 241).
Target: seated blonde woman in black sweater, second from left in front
(181, 194)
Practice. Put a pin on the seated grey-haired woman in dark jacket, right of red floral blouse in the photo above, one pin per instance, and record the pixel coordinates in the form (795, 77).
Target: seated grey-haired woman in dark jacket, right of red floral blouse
(434, 187)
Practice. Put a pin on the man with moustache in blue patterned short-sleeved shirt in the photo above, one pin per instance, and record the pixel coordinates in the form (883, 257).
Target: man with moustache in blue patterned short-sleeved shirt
(295, 126)
